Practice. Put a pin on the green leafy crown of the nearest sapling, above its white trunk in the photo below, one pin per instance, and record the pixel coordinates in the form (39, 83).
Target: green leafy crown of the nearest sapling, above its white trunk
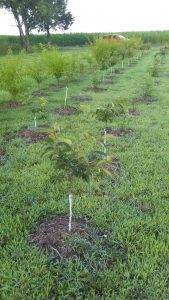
(67, 158)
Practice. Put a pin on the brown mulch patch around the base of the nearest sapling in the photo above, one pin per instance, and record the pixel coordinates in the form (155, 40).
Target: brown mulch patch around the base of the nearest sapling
(51, 234)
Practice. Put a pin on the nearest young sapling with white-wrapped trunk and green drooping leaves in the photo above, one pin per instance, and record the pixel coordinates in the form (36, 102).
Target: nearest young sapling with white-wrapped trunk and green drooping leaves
(69, 162)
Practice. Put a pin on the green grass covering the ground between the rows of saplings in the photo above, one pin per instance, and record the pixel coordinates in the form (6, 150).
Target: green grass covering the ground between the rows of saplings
(121, 251)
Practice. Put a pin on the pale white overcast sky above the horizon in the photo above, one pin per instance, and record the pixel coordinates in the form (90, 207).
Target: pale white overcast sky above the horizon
(108, 16)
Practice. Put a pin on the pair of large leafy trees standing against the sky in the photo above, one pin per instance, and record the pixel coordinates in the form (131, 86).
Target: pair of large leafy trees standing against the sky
(38, 14)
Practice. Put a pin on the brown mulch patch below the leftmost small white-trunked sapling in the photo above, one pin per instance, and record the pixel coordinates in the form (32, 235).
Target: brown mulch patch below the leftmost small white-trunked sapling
(33, 135)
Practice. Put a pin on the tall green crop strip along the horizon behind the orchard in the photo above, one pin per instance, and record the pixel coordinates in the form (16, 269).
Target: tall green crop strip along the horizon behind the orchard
(79, 39)
